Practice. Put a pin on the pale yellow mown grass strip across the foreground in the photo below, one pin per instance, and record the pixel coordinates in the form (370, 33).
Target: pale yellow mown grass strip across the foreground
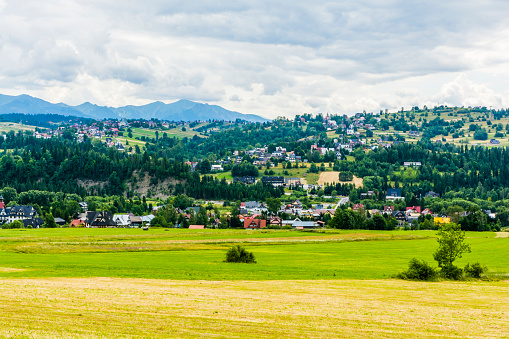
(135, 308)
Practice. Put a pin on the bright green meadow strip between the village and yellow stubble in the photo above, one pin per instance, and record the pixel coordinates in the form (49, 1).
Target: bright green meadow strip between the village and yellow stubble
(199, 254)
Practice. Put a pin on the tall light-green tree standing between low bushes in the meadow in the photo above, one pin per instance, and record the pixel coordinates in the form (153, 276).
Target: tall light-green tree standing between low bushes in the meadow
(451, 246)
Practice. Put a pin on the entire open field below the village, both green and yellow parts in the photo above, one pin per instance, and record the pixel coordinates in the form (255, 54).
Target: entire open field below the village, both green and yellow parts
(129, 283)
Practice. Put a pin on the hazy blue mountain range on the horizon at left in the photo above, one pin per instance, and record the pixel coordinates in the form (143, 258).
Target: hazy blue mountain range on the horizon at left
(182, 110)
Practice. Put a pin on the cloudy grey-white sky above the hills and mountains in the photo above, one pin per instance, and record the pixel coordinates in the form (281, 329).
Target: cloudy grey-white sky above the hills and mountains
(271, 58)
